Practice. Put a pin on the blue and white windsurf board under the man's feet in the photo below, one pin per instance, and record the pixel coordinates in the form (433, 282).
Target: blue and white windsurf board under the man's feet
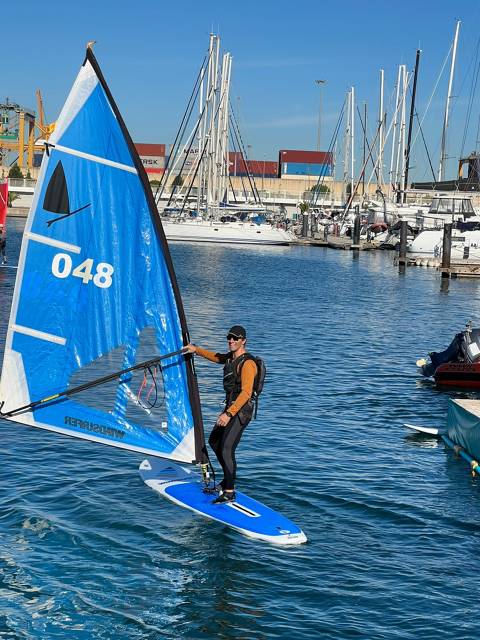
(183, 486)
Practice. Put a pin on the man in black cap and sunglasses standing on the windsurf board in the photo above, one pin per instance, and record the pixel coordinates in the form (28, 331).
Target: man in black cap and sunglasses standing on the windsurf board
(239, 373)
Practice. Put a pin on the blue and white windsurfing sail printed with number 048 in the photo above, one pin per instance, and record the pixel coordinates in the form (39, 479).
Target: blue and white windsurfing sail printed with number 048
(96, 292)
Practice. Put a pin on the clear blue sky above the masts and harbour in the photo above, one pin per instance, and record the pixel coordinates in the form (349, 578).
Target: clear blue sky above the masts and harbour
(150, 53)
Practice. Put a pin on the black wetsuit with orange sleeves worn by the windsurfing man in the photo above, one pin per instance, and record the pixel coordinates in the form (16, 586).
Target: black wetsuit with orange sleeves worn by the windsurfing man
(238, 403)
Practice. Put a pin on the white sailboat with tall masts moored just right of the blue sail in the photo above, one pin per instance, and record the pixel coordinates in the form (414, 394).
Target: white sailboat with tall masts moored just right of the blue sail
(210, 217)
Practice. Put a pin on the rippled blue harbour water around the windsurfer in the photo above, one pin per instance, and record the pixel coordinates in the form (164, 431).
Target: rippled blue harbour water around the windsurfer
(88, 551)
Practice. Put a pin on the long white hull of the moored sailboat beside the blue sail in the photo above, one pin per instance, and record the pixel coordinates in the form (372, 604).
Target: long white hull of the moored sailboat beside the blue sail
(227, 232)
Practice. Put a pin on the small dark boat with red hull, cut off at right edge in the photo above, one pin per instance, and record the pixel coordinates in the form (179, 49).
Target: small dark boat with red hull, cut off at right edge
(459, 364)
